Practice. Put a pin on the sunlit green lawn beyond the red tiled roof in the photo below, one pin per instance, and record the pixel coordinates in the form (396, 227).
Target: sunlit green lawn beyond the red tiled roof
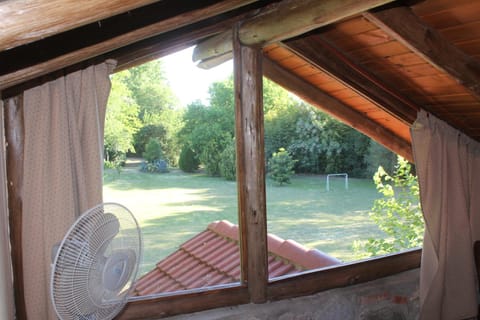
(174, 207)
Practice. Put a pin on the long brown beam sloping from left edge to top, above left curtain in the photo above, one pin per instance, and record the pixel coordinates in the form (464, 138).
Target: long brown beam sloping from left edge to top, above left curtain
(119, 41)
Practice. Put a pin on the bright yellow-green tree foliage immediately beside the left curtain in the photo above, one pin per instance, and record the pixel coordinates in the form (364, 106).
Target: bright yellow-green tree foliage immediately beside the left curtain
(121, 120)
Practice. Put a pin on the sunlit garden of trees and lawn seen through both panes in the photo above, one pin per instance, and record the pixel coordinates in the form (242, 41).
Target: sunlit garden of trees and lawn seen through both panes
(185, 178)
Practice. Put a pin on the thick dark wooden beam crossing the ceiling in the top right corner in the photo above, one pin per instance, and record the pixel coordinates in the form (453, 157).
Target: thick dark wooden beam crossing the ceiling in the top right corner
(404, 26)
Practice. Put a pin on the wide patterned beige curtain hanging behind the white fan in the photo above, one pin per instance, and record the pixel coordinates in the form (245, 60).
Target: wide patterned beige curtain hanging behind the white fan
(63, 163)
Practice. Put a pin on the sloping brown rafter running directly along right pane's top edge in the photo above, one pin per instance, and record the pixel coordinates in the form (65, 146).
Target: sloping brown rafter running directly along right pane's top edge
(337, 109)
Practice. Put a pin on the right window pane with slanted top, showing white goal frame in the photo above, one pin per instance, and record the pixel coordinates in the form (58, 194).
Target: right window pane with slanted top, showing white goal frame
(328, 202)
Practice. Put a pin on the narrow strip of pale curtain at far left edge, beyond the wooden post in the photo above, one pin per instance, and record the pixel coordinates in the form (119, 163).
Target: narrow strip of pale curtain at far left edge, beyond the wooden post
(6, 285)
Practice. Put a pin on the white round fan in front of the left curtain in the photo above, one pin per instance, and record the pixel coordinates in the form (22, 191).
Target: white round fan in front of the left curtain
(96, 264)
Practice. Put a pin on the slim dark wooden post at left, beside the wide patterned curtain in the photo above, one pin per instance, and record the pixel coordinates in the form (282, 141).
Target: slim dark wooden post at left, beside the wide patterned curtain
(14, 131)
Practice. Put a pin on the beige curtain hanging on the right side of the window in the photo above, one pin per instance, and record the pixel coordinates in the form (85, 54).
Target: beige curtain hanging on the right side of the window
(448, 169)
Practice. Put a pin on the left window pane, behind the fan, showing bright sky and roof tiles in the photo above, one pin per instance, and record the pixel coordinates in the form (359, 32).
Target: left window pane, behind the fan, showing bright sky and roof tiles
(170, 159)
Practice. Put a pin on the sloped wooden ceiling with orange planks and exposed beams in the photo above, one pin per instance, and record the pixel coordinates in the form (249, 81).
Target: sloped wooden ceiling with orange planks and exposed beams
(371, 69)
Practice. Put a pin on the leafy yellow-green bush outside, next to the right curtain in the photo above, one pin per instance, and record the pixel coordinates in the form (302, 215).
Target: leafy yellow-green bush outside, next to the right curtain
(397, 213)
